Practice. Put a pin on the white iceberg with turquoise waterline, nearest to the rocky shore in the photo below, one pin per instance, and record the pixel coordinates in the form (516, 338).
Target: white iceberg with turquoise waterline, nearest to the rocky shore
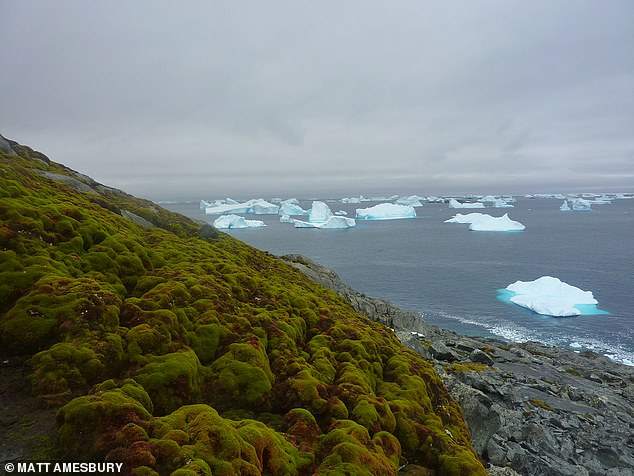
(551, 297)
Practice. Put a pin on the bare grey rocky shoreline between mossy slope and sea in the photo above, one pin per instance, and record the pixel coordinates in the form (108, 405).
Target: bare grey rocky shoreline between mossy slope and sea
(532, 409)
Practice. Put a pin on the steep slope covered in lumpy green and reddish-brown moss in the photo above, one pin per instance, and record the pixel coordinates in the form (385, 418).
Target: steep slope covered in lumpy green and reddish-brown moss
(180, 350)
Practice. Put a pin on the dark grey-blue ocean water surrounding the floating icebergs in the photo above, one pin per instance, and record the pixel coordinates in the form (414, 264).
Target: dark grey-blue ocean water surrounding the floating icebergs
(452, 276)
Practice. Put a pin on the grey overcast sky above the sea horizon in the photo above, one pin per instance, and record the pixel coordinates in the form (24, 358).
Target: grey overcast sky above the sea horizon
(192, 99)
